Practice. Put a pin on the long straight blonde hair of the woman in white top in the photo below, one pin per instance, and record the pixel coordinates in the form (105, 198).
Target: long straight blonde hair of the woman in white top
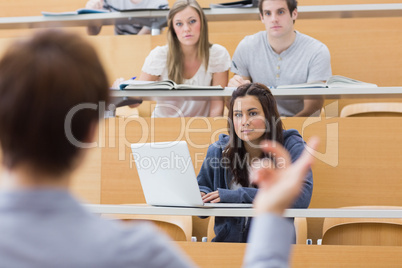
(174, 57)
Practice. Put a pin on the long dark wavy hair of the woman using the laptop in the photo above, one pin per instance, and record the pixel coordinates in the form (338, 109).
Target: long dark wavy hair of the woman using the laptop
(235, 151)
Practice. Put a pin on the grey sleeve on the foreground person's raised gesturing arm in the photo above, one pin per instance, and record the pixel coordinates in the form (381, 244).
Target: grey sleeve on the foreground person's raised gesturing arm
(269, 242)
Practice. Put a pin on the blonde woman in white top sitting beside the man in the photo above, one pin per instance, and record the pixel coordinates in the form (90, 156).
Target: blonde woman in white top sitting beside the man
(188, 58)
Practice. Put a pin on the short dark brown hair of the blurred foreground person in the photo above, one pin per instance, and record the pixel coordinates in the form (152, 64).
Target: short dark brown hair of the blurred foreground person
(42, 79)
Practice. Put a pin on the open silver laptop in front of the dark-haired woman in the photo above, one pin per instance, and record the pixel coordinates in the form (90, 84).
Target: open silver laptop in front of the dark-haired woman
(167, 175)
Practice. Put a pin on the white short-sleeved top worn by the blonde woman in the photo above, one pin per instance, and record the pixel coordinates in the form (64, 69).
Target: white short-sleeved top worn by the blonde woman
(156, 64)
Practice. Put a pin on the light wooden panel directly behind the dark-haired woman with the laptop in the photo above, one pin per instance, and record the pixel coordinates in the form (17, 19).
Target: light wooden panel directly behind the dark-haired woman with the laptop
(352, 157)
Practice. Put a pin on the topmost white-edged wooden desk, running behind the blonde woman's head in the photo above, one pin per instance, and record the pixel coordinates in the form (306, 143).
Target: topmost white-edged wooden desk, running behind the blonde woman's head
(230, 14)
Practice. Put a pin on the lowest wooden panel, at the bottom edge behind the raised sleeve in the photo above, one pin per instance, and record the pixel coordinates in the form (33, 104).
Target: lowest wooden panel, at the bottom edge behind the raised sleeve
(231, 255)
